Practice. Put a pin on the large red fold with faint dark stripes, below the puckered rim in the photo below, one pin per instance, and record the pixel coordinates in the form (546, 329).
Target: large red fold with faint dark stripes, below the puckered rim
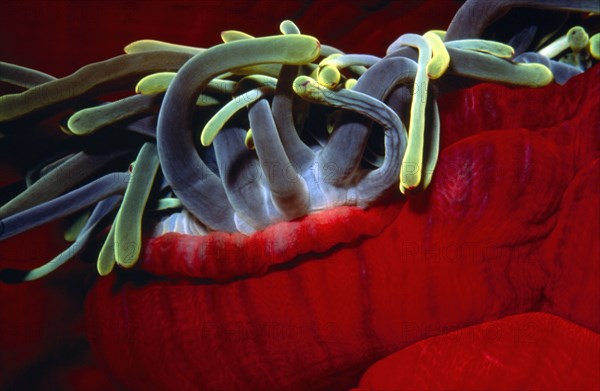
(482, 244)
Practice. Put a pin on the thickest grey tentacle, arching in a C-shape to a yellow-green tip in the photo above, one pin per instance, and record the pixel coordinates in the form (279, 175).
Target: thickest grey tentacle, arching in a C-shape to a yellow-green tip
(199, 189)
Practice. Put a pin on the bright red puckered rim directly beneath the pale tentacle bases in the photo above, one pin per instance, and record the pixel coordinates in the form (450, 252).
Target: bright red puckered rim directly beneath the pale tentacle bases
(225, 257)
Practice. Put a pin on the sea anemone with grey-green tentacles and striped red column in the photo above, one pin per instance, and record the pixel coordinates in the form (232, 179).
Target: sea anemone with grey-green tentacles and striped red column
(254, 187)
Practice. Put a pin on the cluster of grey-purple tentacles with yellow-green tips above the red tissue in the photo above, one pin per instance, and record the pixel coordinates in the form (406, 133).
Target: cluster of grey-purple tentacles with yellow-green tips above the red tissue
(253, 131)
